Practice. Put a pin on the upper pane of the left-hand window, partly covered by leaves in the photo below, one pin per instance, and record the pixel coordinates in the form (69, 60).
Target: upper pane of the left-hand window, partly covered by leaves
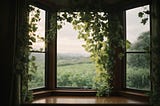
(39, 45)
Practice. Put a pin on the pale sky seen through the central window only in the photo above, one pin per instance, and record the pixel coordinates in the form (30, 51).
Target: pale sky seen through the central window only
(67, 41)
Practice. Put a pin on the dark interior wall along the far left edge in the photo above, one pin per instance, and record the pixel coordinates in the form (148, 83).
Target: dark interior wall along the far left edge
(7, 27)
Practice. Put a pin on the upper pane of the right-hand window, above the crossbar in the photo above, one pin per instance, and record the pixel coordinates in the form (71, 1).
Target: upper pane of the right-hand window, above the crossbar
(137, 34)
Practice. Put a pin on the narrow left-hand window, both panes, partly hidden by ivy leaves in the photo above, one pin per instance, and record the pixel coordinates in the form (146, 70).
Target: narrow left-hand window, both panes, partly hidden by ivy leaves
(38, 52)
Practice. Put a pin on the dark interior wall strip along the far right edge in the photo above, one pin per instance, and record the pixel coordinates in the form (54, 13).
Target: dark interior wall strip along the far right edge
(155, 33)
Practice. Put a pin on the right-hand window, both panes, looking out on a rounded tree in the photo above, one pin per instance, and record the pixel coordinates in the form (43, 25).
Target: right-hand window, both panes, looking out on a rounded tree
(137, 50)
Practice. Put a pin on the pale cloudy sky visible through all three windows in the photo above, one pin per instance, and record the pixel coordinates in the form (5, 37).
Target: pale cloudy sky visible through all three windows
(67, 37)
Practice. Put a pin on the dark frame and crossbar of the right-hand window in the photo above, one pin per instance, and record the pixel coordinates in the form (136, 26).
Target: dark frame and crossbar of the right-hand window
(125, 88)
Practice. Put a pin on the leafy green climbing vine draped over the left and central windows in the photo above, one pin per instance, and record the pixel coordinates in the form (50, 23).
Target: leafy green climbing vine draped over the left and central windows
(94, 28)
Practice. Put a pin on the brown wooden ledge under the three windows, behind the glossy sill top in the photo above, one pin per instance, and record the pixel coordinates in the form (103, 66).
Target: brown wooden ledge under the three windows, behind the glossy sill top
(141, 96)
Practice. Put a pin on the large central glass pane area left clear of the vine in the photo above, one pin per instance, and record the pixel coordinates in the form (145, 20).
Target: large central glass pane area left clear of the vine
(74, 67)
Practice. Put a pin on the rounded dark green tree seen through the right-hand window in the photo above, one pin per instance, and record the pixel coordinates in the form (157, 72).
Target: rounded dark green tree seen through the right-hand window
(142, 44)
